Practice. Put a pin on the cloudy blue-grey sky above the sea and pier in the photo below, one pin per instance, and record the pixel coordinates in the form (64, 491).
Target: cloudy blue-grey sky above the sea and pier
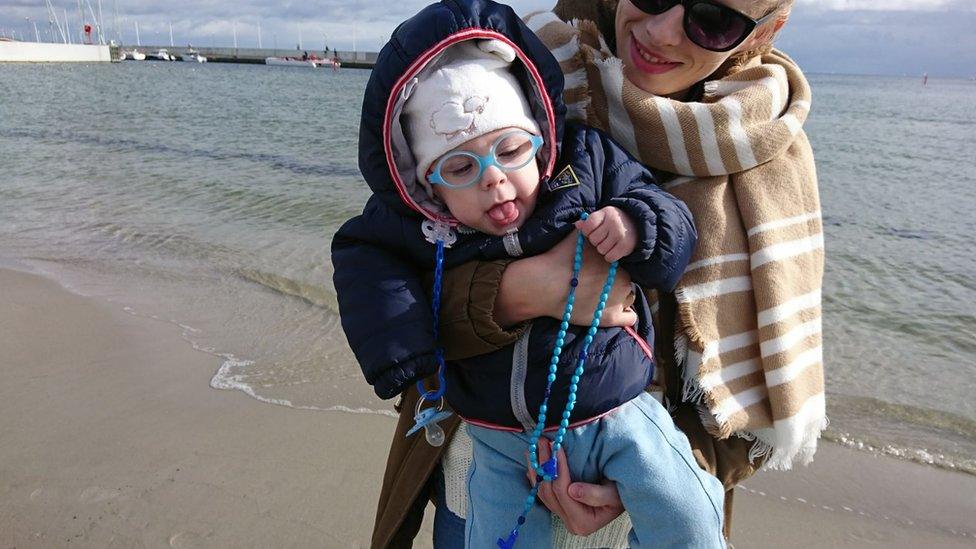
(909, 37)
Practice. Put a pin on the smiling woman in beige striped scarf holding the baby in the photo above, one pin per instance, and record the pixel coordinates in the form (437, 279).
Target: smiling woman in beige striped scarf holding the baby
(694, 91)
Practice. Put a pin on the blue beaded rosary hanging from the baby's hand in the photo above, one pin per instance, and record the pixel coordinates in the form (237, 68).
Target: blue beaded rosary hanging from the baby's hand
(547, 471)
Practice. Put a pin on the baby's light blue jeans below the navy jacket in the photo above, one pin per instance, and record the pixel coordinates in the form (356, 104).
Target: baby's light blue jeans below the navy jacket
(672, 502)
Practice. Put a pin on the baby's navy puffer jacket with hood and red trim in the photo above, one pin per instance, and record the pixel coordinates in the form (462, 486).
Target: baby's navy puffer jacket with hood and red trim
(381, 255)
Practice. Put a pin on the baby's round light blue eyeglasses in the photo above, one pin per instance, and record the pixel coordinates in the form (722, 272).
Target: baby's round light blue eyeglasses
(511, 151)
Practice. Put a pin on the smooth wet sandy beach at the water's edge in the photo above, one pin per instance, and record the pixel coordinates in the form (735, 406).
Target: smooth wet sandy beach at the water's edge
(113, 437)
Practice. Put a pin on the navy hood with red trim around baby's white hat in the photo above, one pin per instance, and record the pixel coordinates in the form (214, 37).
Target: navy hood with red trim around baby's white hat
(385, 159)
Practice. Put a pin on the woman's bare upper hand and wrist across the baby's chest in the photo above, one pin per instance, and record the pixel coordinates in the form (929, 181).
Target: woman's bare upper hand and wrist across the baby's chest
(537, 286)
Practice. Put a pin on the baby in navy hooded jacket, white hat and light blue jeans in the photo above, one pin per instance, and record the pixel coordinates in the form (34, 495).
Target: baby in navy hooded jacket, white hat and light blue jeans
(471, 151)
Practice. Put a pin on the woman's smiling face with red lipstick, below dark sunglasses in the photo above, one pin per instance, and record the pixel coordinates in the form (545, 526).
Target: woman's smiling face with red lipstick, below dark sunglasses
(659, 58)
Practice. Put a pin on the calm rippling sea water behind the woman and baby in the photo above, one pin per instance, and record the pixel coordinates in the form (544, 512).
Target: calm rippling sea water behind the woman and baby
(207, 196)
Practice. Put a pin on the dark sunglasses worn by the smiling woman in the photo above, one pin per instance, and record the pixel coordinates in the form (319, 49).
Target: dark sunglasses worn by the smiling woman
(707, 23)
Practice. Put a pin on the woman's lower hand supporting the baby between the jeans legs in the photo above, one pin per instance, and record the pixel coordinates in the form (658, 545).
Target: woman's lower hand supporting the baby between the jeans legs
(583, 507)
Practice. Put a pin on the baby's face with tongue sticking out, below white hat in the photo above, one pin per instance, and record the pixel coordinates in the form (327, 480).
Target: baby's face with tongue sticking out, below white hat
(500, 201)
